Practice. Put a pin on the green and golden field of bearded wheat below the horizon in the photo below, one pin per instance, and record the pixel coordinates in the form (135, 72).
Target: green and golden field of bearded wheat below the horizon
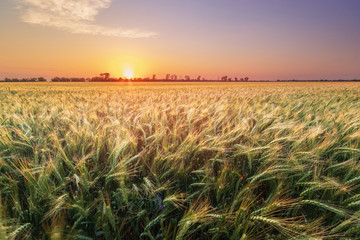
(177, 161)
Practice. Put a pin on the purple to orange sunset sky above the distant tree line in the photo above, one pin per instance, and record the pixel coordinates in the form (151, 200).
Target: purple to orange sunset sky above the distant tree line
(260, 39)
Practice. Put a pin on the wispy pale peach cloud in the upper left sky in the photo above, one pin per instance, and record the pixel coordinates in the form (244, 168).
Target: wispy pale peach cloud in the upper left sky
(75, 16)
